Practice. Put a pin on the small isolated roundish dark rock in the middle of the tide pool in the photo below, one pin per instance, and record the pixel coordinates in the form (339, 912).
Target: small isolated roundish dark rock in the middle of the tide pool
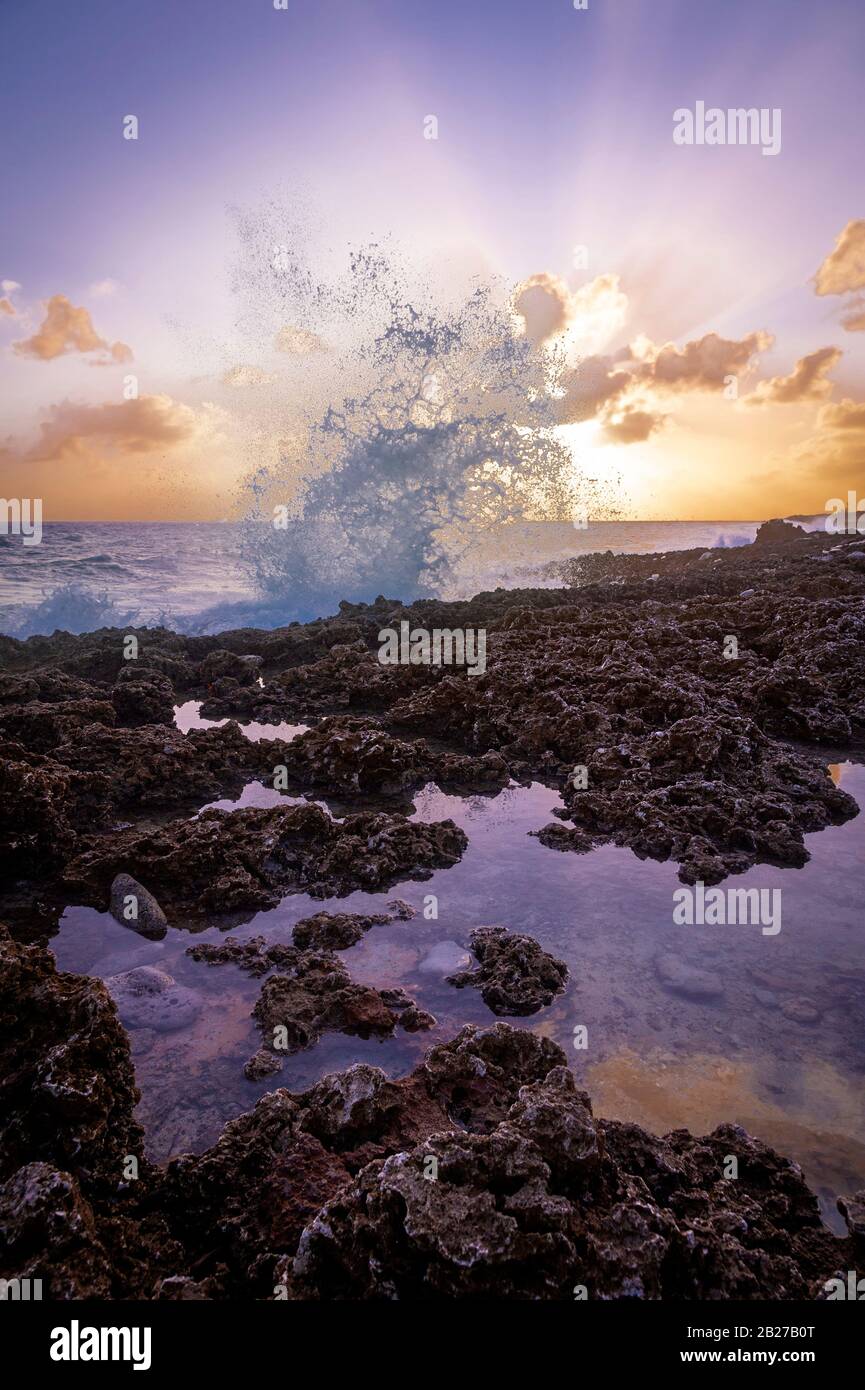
(515, 975)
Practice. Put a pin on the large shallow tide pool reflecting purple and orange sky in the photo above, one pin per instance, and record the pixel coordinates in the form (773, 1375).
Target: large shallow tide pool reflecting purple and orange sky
(653, 1057)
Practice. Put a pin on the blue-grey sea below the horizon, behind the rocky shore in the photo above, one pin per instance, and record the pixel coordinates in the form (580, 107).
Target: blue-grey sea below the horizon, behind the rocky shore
(201, 578)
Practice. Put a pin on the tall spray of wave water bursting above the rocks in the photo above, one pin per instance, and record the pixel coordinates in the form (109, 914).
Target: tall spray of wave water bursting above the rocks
(439, 427)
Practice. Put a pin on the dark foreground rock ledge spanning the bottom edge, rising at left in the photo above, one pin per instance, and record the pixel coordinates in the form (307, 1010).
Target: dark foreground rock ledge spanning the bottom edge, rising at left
(482, 1174)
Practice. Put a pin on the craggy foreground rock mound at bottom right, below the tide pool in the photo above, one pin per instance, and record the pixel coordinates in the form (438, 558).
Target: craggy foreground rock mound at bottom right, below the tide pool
(553, 1200)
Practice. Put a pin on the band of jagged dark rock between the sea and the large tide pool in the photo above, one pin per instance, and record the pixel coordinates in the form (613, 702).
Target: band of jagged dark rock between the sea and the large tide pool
(692, 750)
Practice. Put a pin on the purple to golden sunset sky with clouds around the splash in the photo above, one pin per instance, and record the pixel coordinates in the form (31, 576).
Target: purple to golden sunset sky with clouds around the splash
(709, 298)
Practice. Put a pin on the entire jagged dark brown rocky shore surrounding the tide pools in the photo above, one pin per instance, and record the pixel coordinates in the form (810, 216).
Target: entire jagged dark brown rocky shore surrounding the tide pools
(485, 1172)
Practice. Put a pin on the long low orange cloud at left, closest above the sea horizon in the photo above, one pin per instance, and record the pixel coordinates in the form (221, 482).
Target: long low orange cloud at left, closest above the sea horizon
(127, 427)
